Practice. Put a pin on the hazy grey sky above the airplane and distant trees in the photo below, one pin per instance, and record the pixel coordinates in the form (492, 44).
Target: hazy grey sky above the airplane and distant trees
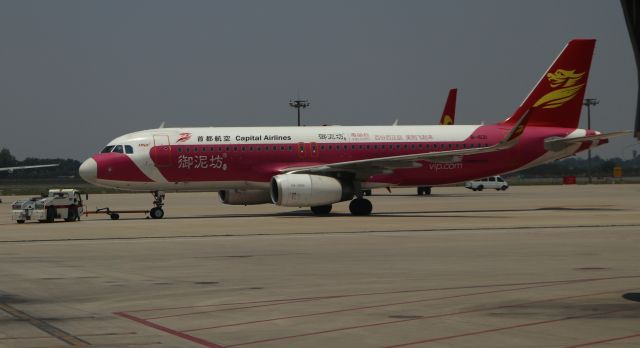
(76, 74)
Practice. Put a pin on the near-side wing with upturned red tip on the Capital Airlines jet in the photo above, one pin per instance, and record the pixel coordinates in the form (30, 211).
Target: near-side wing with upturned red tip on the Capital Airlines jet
(381, 165)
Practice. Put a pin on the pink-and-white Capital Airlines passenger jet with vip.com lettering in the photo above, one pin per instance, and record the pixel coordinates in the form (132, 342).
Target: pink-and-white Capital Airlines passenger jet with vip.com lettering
(317, 167)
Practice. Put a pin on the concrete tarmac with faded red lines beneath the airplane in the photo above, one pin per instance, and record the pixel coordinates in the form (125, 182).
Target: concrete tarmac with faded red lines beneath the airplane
(538, 266)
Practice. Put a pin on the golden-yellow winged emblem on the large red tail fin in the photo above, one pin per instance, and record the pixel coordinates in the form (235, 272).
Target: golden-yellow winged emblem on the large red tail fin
(567, 81)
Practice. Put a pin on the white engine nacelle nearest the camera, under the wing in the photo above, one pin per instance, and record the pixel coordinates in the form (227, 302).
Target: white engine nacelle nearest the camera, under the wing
(306, 190)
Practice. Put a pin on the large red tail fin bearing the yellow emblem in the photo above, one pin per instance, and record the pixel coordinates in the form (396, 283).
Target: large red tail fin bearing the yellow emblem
(556, 101)
